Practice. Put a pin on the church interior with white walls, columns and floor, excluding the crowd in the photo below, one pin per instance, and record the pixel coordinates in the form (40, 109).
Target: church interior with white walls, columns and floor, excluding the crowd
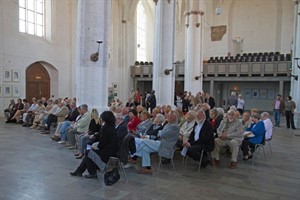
(91, 49)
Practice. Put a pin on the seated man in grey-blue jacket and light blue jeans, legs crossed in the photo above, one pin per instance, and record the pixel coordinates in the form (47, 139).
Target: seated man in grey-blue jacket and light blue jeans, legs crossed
(164, 145)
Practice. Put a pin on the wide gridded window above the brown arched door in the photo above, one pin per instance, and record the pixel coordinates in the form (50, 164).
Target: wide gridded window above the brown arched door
(32, 17)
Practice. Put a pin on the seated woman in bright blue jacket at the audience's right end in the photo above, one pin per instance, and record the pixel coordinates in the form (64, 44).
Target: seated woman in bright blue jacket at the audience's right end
(253, 135)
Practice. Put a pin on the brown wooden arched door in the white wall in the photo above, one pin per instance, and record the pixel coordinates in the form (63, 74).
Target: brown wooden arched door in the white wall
(37, 82)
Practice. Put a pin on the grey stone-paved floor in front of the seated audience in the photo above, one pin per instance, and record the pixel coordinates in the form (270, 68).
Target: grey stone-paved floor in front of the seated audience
(34, 167)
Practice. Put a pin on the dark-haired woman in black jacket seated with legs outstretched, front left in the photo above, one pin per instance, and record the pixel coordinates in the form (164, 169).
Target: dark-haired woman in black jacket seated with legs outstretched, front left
(107, 147)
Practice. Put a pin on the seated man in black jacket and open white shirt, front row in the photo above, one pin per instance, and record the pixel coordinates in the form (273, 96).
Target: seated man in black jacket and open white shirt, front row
(201, 138)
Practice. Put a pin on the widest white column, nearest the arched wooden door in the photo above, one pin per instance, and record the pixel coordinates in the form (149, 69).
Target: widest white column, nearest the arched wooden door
(92, 77)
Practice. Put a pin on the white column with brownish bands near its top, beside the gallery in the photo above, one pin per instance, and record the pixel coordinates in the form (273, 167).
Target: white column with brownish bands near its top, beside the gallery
(194, 46)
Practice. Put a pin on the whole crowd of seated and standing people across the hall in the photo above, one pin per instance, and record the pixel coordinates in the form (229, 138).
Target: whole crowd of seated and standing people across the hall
(134, 131)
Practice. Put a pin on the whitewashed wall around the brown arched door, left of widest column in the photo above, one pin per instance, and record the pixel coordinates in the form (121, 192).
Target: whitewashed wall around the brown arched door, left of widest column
(18, 51)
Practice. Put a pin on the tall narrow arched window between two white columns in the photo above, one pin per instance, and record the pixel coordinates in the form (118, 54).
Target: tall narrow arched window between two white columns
(141, 32)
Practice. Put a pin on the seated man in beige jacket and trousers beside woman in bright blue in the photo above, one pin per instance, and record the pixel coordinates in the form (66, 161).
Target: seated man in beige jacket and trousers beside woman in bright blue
(230, 133)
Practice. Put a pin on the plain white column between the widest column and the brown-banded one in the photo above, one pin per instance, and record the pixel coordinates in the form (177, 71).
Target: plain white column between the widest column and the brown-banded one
(163, 56)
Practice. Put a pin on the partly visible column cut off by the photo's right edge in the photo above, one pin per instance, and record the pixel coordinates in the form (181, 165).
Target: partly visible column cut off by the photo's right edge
(295, 85)
